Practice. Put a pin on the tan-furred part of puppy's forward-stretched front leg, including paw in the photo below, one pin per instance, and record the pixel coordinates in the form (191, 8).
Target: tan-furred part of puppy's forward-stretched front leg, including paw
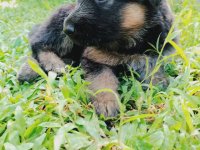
(104, 102)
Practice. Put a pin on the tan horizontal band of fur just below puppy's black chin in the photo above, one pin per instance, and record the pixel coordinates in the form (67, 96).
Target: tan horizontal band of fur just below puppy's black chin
(109, 58)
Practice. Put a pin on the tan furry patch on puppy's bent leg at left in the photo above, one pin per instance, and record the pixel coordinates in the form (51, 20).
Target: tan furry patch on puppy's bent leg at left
(51, 62)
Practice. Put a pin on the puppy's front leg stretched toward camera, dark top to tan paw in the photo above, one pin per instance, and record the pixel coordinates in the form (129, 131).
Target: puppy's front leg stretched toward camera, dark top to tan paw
(102, 77)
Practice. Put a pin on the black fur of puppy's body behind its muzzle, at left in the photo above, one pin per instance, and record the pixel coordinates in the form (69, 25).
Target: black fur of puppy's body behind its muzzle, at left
(49, 36)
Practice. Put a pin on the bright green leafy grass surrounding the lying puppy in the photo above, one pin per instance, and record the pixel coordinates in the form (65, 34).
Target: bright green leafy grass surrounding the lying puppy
(56, 114)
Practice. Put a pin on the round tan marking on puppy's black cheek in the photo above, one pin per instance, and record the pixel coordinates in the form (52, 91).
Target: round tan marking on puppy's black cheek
(133, 16)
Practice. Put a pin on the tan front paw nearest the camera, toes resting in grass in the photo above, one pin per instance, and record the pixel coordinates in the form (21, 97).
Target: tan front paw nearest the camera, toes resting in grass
(106, 104)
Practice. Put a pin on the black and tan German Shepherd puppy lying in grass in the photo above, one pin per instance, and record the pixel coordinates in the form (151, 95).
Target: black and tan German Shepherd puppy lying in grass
(103, 35)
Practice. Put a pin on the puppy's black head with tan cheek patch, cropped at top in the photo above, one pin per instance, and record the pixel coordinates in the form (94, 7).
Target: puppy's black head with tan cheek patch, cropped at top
(99, 22)
